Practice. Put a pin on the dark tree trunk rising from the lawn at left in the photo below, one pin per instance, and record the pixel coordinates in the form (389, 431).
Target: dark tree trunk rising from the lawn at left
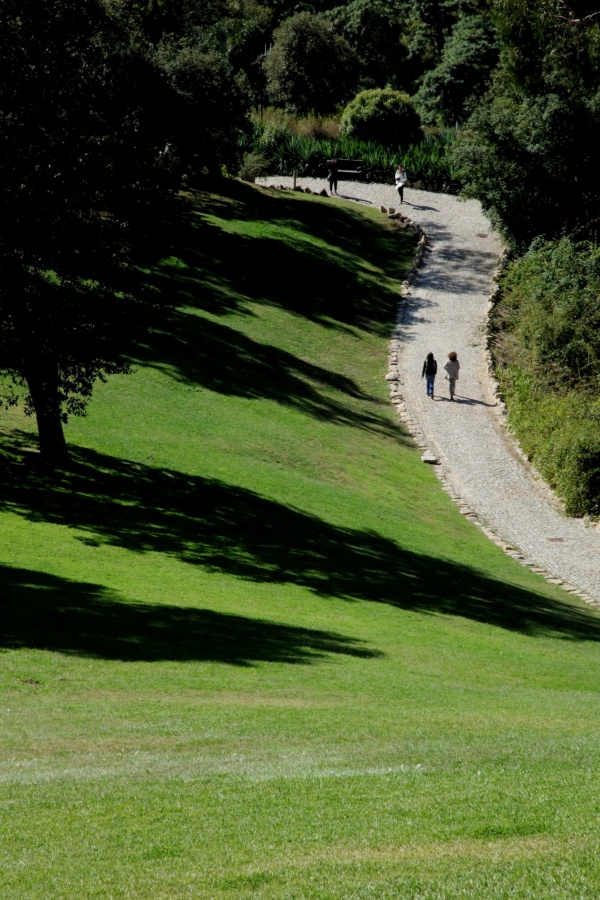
(41, 376)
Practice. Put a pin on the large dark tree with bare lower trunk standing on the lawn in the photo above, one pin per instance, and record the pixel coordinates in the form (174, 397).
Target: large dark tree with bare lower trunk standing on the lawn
(77, 151)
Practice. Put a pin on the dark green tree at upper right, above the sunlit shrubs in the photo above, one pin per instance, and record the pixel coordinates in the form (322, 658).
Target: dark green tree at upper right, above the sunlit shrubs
(529, 151)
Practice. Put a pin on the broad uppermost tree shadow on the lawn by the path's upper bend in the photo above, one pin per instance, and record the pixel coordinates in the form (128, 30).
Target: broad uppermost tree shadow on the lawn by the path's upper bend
(329, 265)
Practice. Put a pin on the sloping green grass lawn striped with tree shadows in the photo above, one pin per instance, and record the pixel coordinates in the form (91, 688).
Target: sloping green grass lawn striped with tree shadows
(249, 647)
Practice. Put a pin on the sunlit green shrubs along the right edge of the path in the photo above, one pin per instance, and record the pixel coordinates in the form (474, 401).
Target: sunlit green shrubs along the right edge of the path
(548, 356)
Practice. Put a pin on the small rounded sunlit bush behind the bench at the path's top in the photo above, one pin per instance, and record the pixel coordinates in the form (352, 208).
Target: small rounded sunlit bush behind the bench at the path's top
(381, 115)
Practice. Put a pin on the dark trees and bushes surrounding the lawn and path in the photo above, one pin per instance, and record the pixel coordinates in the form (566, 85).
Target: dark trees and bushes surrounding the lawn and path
(109, 106)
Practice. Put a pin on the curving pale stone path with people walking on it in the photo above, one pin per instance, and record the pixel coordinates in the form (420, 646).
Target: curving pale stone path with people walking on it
(446, 309)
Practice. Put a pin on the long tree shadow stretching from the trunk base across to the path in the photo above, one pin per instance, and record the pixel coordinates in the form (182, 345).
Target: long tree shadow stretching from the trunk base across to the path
(229, 529)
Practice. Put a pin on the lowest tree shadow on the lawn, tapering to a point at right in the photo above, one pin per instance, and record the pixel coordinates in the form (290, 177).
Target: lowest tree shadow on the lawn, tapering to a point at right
(44, 612)
